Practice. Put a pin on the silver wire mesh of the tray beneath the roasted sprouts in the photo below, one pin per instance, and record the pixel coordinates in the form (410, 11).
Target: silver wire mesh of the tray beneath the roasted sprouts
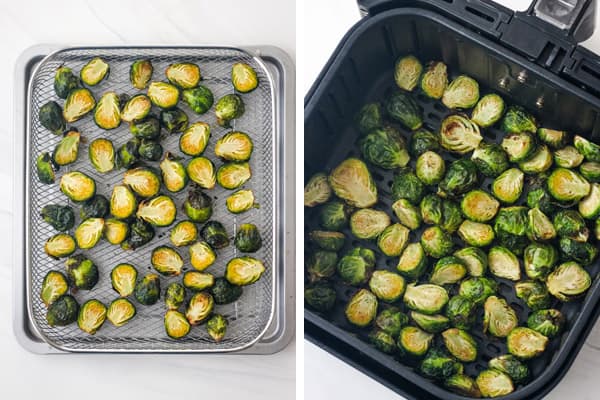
(250, 315)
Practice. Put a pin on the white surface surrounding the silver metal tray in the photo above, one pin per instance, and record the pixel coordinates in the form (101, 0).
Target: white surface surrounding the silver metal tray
(113, 22)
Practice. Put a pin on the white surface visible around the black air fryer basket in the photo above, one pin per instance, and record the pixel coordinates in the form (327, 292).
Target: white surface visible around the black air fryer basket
(326, 21)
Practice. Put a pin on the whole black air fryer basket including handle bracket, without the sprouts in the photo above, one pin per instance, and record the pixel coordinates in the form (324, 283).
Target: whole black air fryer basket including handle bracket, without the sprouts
(530, 58)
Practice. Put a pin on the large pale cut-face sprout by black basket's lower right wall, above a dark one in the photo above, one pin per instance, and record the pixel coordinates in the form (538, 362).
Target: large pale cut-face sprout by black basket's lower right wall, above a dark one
(568, 281)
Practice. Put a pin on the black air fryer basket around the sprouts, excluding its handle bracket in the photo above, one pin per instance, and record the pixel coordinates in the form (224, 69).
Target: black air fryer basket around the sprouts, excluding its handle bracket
(361, 71)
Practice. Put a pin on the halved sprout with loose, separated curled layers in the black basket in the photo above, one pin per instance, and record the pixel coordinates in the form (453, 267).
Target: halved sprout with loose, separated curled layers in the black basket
(460, 135)
